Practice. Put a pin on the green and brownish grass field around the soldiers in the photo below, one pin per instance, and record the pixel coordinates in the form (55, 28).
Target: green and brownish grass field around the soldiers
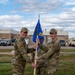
(66, 66)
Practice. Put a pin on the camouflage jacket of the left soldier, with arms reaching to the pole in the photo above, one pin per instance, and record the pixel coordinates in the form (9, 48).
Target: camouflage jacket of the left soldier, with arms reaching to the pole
(21, 50)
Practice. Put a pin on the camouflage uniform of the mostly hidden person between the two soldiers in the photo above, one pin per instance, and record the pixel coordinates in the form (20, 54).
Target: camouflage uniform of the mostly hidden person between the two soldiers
(41, 65)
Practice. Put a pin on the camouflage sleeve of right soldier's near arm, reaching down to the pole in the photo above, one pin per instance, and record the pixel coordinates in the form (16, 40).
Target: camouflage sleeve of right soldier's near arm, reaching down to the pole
(50, 52)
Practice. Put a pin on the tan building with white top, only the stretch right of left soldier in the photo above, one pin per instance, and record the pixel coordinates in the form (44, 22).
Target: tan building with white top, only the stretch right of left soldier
(62, 35)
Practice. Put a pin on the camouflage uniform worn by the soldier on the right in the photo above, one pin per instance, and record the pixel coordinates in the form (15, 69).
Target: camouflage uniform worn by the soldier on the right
(51, 56)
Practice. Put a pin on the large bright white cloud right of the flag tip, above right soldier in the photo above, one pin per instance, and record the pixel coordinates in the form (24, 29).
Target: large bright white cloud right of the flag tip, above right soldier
(63, 21)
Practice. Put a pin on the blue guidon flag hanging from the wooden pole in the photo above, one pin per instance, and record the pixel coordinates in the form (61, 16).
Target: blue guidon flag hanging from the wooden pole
(38, 32)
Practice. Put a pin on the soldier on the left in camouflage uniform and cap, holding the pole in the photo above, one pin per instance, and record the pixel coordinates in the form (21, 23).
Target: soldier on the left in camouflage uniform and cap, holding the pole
(21, 53)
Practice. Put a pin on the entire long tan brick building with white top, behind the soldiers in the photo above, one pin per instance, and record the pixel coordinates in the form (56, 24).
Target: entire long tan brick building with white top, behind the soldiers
(10, 34)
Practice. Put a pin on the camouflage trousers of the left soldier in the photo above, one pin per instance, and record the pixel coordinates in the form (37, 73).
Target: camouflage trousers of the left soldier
(18, 67)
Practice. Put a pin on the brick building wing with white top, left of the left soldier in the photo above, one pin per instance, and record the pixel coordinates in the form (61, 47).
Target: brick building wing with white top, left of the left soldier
(8, 34)
